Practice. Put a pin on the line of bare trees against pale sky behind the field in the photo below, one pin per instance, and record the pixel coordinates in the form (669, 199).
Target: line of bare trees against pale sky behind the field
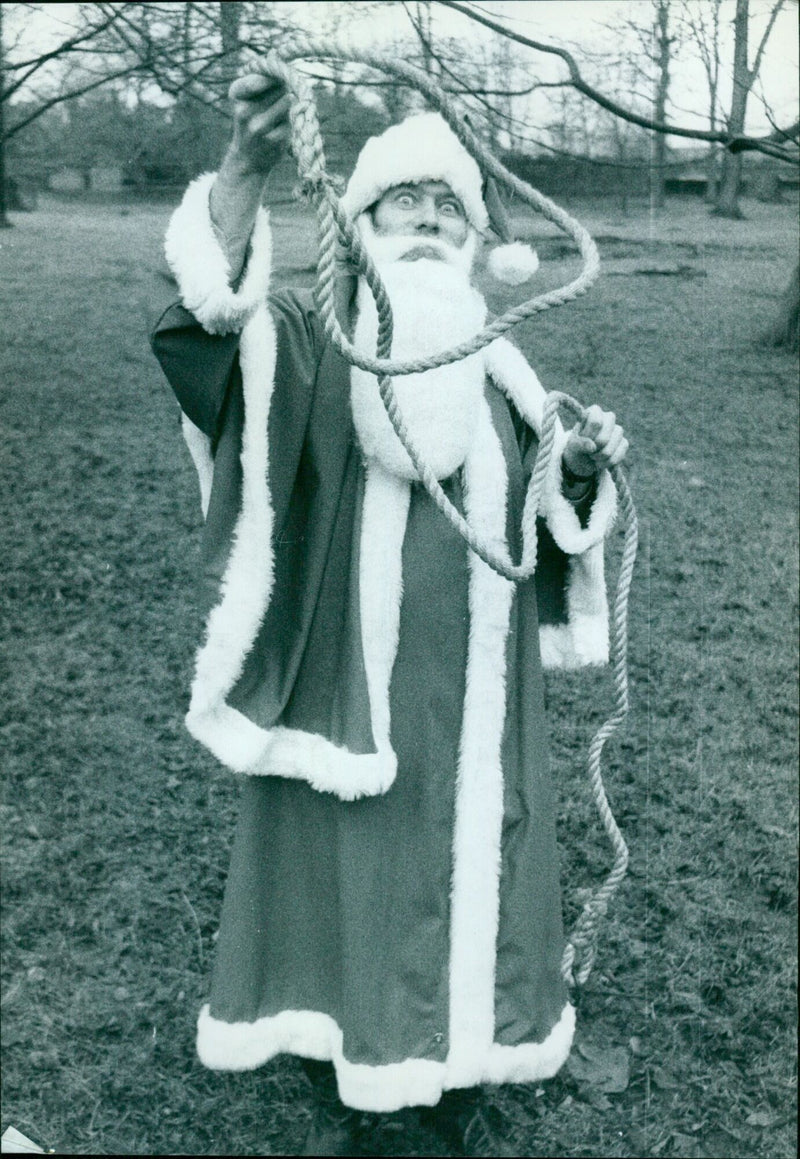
(142, 88)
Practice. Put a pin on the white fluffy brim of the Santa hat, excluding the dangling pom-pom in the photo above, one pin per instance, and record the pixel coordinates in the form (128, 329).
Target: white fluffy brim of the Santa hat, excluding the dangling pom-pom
(423, 148)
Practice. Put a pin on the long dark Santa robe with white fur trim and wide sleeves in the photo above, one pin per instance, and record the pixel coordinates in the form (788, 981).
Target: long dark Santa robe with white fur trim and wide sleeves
(394, 900)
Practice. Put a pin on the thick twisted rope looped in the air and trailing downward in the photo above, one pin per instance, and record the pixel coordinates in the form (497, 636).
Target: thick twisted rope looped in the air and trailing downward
(336, 227)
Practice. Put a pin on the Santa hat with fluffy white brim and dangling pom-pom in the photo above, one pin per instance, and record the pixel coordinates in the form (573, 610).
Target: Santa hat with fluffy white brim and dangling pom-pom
(424, 148)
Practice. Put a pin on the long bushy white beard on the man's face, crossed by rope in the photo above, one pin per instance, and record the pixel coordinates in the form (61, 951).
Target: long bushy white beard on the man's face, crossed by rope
(434, 309)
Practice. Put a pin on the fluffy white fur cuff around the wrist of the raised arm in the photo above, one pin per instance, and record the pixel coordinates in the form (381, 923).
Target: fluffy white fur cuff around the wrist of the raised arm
(201, 268)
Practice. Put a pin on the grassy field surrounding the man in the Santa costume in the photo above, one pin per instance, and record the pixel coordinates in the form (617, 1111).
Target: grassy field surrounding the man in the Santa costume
(117, 827)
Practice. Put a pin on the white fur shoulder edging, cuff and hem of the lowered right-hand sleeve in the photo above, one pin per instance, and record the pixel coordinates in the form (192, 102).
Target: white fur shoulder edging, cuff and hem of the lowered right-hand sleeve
(584, 639)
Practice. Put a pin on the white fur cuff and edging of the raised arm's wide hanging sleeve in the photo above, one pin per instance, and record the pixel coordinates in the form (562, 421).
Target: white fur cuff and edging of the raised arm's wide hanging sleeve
(201, 268)
